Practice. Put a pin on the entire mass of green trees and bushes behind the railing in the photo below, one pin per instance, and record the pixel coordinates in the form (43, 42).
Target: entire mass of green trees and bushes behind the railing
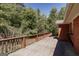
(16, 19)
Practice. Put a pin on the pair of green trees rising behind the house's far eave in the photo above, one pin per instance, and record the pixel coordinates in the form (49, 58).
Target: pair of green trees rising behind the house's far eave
(53, 16)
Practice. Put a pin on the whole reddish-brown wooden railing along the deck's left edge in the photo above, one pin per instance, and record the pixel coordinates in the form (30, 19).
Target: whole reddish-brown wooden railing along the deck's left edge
(10, 45)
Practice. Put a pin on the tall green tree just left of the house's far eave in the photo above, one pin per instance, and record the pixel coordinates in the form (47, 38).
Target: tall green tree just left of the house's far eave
(51, 21)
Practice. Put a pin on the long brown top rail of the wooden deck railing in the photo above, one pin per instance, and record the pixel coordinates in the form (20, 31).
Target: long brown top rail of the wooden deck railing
(24, 36)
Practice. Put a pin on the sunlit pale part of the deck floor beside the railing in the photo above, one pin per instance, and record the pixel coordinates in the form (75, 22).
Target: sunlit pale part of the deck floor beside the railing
(44, 47)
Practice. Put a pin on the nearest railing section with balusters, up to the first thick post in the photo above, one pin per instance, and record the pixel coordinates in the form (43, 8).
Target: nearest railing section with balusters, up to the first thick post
(10, 45)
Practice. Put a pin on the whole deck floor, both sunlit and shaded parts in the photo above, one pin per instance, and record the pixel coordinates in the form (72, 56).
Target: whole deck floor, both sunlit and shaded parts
(47, 47)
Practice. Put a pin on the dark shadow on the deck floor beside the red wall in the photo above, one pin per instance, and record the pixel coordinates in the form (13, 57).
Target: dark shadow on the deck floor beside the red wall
(64, 49)
